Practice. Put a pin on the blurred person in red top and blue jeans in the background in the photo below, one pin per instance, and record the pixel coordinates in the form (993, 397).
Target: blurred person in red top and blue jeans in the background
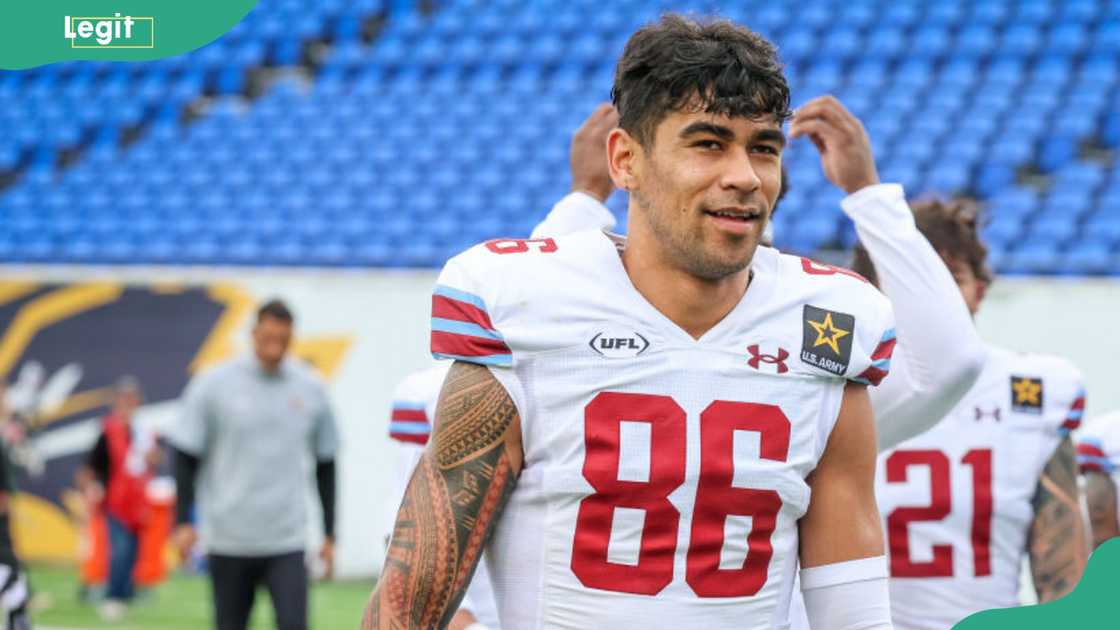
(123, 462)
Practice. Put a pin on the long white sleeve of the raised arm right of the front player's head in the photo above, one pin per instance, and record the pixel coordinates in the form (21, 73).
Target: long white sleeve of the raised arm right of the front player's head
(940, 353)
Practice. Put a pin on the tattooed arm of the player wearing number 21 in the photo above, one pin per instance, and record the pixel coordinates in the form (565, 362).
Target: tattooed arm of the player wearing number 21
(1057, 542)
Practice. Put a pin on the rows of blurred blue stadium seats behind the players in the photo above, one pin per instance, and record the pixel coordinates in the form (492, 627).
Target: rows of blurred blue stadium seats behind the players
(388, 134)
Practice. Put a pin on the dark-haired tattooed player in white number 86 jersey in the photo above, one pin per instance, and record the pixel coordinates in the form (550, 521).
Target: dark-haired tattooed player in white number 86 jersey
(662, 422)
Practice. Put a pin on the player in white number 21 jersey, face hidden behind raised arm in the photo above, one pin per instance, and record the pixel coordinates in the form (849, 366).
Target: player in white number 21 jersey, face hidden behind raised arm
(995, 480)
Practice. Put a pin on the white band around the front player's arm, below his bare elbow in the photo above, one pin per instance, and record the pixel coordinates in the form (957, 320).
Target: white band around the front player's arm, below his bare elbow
(848, 596)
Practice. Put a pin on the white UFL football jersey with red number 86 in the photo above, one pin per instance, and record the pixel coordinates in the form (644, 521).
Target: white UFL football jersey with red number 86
(664, 476)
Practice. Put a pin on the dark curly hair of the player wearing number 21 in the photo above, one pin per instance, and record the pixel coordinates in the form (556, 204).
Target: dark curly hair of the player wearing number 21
(954, 230)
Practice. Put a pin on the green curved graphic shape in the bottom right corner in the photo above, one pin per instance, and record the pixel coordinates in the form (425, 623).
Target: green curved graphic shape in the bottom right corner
(1091, 605)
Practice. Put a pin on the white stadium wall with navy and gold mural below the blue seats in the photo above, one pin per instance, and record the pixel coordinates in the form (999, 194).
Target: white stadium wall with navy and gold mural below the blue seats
(366, 331)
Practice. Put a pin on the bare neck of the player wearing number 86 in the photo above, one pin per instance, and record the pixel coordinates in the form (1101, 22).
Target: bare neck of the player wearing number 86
(694, 304)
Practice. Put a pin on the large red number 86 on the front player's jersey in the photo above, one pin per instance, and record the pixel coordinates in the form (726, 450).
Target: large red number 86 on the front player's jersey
(716, 498)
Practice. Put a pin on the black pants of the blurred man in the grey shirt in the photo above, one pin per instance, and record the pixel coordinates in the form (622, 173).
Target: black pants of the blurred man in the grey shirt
(235, 581)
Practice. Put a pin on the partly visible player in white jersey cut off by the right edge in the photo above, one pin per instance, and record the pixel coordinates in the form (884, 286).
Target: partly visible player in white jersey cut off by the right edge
(1099, 458)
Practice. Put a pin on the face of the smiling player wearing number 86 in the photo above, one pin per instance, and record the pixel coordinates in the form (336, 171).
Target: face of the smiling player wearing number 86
(707, 186)
